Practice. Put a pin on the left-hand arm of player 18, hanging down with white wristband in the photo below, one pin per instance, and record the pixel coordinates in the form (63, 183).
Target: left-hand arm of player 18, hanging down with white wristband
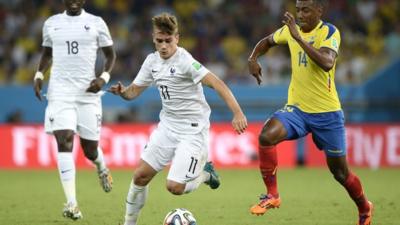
(44, 64)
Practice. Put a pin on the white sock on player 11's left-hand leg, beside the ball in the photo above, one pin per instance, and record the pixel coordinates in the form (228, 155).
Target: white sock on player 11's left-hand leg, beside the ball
(135, 200)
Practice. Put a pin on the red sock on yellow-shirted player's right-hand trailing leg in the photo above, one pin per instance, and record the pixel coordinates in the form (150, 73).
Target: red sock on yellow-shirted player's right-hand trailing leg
(354, 188)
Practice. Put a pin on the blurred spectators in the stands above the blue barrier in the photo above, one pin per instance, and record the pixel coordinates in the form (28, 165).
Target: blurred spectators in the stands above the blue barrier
(219, 33)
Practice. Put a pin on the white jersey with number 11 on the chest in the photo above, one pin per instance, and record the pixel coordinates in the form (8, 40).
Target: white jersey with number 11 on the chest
(184, 107)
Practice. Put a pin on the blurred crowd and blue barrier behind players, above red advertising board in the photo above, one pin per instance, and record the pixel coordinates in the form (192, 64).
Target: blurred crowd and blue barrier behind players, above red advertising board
(220, 34)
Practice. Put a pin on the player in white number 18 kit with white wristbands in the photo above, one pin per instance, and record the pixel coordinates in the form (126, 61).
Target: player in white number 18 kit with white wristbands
(70, 43)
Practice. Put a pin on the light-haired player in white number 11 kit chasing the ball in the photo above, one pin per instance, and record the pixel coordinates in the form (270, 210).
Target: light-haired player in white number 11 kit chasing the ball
(181, 137)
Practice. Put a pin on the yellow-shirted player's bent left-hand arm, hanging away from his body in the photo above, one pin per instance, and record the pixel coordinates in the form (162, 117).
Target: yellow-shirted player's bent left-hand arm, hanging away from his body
(260, 49)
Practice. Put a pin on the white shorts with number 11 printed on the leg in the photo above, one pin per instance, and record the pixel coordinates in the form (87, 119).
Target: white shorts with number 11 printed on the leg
(187, 153)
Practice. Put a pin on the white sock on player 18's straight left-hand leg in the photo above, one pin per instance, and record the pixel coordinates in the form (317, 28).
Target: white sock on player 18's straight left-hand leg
(66, 169)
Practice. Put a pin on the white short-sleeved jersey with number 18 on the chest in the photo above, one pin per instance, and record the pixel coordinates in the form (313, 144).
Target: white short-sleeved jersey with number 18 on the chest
(75, 41)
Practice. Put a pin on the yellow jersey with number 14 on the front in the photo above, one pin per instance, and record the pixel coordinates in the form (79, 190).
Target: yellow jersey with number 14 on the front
(311, 88)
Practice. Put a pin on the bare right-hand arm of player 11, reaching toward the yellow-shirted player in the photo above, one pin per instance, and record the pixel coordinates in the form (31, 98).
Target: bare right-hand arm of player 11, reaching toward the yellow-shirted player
(239, 121)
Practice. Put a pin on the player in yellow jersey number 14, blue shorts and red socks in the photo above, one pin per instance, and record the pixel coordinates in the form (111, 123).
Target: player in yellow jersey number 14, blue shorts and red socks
(313, 105)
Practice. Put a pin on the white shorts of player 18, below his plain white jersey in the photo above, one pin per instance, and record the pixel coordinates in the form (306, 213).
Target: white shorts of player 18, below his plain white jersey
(82, 117)
